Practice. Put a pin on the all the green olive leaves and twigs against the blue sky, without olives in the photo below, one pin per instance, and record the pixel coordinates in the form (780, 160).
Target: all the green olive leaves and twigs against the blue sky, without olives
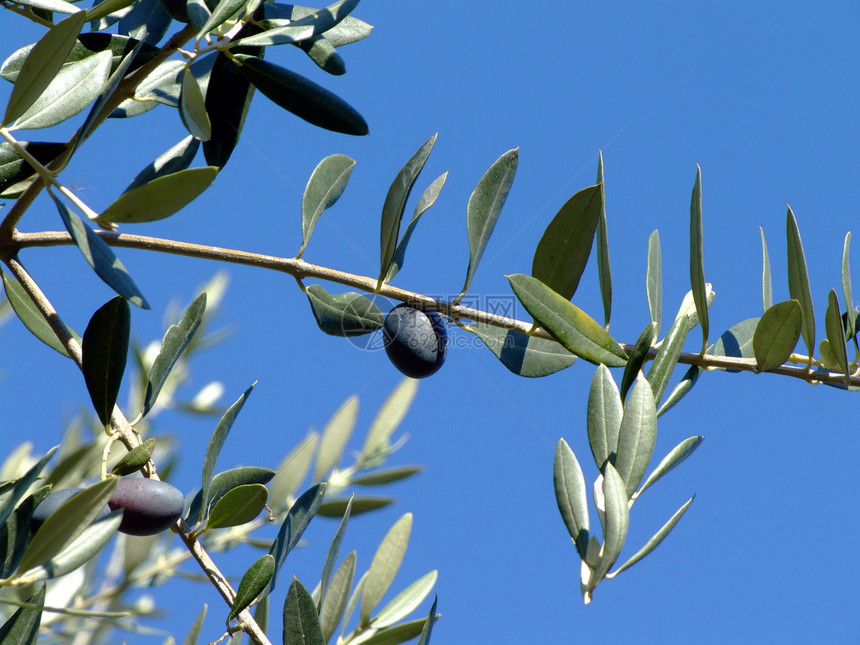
(205, 59)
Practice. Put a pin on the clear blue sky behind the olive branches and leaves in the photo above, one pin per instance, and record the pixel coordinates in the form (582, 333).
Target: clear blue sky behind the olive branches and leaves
(764, 97)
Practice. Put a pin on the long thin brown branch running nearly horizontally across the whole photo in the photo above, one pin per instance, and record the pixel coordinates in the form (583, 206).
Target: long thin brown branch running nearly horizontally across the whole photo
(300, 269)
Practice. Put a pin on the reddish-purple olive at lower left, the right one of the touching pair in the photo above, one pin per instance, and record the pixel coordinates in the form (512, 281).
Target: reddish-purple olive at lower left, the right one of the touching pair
(149, 506)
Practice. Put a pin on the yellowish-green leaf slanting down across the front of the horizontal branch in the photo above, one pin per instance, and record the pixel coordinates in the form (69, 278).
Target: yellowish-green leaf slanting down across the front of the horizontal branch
(572, 327)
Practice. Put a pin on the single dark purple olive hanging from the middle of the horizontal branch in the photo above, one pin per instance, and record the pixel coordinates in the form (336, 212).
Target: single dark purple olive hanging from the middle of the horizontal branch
(415, 340)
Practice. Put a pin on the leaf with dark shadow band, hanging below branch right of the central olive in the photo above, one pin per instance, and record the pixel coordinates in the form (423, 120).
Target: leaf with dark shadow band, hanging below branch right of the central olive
(522, 354)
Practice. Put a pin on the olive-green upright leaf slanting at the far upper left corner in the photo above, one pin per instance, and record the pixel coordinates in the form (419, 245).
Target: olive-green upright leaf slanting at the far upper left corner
(42, 65)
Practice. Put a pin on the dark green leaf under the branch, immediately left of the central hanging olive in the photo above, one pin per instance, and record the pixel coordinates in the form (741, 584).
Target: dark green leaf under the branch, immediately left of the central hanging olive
(344, 314)
